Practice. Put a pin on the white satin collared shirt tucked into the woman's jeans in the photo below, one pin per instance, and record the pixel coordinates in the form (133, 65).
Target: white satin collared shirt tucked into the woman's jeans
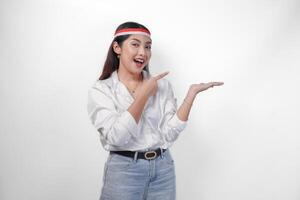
(158, 127)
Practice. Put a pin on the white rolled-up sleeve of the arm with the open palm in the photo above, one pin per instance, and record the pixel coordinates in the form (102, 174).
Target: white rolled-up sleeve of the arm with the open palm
(170, 125)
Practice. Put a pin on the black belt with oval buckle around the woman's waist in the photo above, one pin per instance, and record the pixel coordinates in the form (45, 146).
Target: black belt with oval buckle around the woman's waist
(148, 155)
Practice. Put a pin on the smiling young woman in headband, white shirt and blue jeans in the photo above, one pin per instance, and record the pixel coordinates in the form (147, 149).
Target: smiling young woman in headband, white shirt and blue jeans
(137, 118)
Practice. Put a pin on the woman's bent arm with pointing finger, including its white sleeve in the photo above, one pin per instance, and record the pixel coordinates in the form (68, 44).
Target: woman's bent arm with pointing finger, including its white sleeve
(117, 129)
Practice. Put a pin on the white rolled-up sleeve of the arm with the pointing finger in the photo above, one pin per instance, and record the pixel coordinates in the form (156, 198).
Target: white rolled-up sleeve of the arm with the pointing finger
(115, 128)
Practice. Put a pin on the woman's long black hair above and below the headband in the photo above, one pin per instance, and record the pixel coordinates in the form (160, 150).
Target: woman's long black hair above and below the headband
(112, 62)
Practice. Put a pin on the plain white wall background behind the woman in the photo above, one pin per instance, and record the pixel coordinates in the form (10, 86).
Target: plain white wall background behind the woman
(242, 139)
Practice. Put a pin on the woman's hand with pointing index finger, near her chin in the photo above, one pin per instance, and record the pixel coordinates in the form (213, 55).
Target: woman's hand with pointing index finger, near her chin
(149, 86)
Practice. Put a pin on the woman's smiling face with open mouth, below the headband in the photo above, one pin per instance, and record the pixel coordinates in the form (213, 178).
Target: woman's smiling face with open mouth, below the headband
(135, 53)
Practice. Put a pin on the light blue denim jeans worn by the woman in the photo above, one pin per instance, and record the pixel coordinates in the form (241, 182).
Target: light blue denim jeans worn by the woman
(127, 178)
